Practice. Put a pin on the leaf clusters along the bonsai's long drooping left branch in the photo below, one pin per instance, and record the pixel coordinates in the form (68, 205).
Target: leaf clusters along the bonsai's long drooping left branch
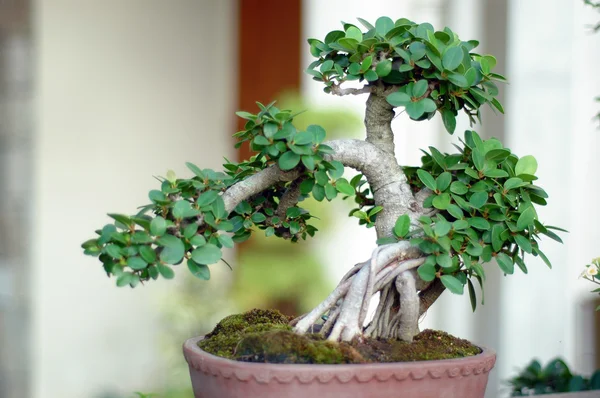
(188, 220)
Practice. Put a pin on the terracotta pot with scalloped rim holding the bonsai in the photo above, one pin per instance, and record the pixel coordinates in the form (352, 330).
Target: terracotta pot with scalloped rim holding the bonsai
(215, 377)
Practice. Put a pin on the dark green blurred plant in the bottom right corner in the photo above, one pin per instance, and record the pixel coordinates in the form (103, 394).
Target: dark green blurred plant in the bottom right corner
(555, 377)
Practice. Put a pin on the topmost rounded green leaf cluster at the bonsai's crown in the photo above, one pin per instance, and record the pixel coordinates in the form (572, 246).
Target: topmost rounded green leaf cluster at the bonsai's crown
(432, 70)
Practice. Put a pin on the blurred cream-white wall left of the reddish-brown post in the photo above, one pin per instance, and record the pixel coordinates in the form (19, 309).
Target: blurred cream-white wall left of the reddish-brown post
(126, 90)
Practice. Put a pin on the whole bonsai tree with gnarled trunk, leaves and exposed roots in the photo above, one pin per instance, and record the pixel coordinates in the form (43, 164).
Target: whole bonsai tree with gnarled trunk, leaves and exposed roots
(437, 224)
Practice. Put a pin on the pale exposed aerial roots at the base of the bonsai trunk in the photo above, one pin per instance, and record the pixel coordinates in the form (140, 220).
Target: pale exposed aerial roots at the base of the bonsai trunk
(390, 270)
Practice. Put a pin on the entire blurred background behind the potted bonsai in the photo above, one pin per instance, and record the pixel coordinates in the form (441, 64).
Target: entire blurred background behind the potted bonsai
(96, 97)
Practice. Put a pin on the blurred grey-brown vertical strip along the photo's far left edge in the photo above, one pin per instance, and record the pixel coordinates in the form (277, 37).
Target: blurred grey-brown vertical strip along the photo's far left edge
(16, 97)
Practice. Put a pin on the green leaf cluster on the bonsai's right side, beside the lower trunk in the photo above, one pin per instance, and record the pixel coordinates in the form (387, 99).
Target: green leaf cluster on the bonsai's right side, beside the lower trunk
(484, 200)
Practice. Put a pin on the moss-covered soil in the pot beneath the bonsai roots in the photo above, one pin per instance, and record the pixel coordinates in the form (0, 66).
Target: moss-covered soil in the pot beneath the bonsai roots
(266, 336)
